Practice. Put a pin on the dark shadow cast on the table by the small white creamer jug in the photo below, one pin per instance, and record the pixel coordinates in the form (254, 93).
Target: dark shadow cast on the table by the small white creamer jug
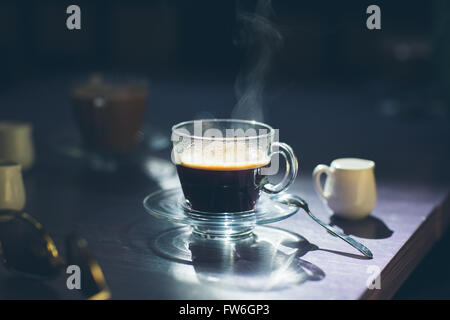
(369, 227)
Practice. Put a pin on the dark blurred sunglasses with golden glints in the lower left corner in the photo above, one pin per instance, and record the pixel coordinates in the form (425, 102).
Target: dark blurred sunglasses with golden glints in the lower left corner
(26, 248)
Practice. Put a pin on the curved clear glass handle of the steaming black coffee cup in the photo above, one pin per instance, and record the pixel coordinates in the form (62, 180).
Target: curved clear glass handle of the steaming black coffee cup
(291, 169)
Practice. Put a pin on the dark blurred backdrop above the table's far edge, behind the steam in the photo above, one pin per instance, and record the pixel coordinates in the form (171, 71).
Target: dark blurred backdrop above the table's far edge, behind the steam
(323, 41)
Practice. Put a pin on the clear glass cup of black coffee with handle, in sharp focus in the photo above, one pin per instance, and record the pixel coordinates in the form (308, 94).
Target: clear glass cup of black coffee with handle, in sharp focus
(223, 164)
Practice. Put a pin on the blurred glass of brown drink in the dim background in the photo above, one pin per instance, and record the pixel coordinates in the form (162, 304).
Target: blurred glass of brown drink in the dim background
(110, 112)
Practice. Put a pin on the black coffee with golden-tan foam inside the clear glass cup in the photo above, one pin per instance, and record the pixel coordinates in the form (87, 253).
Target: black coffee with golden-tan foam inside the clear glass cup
(213, 183)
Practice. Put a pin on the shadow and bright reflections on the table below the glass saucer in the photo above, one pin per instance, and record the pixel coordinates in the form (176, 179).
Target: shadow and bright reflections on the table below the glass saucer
(261, 261)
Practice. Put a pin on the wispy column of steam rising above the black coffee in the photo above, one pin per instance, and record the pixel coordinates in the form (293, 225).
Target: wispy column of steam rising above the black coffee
(258, 36)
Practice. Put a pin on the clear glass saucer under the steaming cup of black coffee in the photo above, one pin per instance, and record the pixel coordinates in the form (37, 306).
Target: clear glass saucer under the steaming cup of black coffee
(169, 204)
